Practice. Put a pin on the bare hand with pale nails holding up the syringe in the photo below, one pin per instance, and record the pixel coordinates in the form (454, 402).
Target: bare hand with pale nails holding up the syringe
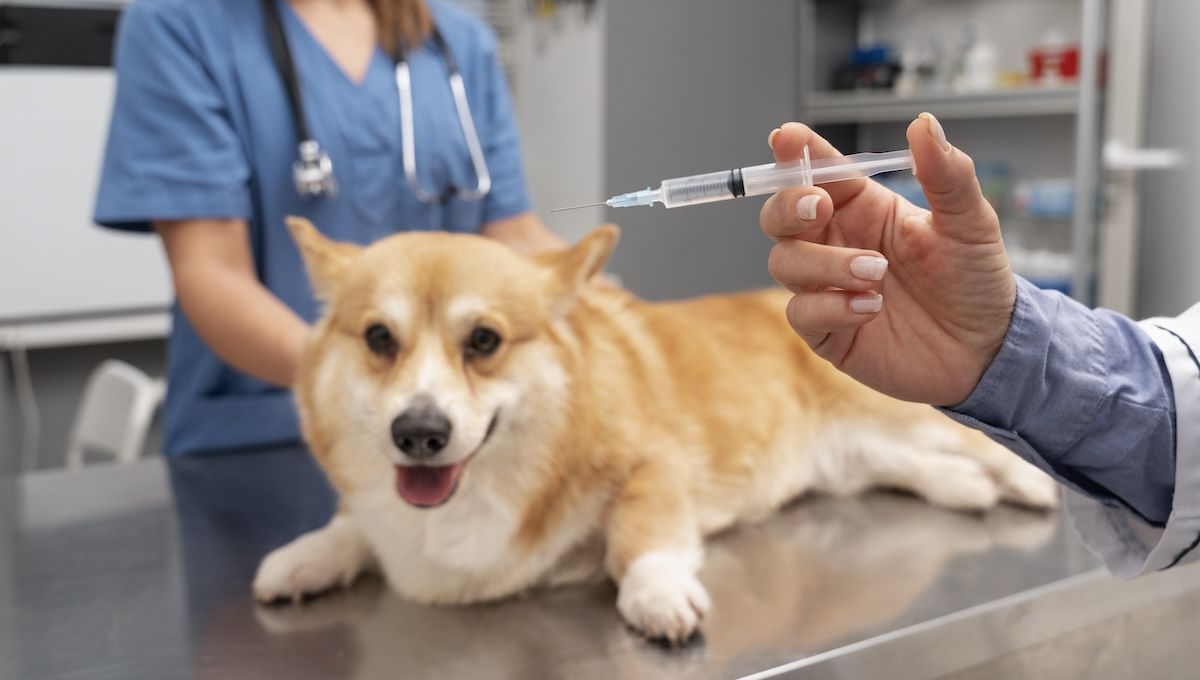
(909, 302)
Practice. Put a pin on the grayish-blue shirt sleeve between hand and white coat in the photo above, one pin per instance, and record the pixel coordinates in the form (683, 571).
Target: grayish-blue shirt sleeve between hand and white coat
(1084, 395)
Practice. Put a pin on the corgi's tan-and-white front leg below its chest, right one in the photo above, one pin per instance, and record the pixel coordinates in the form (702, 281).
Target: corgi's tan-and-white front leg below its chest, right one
(655, 552)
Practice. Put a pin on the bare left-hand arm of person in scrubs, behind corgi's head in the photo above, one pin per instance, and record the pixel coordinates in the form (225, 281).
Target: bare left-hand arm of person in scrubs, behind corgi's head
(233, 312)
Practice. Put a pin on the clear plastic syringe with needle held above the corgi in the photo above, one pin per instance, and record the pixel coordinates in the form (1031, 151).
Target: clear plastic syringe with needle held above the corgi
(758, 180)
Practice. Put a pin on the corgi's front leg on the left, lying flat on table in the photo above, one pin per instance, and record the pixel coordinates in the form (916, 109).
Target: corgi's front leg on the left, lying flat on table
(317, 562)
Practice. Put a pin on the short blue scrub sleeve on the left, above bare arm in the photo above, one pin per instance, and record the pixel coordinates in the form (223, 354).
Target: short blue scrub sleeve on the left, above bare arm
(172, 151)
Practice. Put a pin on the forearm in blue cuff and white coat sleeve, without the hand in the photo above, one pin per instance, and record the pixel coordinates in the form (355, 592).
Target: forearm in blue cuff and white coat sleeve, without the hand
(1113, 410)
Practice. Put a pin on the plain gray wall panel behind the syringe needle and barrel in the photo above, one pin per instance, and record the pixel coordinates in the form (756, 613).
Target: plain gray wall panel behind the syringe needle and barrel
(692, 87)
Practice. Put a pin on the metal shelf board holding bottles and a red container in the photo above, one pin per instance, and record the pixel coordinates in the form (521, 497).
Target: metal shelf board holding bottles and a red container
(886, 107)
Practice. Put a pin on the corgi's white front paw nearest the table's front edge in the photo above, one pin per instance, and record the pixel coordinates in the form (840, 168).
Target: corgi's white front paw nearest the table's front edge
(662, 598)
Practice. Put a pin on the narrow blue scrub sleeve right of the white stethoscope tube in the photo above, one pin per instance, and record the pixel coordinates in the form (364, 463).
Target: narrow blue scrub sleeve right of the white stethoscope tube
(502, 142)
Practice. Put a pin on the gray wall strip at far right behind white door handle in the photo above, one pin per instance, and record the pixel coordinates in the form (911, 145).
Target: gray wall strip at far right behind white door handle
(1169, 280)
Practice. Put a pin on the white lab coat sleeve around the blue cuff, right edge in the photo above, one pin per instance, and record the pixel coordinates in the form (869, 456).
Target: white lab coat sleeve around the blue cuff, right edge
(1127, 545)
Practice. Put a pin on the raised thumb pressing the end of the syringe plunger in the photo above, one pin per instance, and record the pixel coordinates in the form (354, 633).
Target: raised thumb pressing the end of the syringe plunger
(949, 180)
